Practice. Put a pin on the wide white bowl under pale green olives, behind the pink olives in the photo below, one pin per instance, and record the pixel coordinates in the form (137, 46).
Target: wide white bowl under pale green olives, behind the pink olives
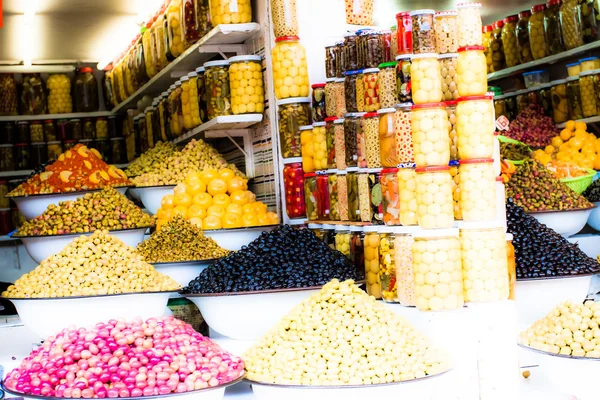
(49, 316)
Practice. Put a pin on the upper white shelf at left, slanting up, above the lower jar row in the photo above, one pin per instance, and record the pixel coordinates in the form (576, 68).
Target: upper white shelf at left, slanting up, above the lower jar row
(193, 57)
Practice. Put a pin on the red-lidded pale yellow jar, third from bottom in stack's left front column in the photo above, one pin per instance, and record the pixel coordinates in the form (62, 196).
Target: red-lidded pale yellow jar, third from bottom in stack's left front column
(431, 143)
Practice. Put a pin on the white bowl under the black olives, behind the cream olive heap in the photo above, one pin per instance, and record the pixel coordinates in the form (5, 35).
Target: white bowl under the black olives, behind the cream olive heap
(248, 315)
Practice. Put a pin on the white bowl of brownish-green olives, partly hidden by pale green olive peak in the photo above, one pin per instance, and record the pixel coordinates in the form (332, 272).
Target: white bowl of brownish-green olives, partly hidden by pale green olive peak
(42, 247)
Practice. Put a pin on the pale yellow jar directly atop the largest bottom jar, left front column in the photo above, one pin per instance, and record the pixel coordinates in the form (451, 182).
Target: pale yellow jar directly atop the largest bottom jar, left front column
(435, 208)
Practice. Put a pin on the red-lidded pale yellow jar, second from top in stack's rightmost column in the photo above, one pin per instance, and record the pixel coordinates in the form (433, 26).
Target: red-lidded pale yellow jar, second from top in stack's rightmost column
(472, 71)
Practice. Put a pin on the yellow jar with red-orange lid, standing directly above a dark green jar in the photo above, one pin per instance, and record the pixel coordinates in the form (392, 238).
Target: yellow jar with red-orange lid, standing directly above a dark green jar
(290, 81)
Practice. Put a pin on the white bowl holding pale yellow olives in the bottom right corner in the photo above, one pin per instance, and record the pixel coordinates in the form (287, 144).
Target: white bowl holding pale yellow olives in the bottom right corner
(574, 376)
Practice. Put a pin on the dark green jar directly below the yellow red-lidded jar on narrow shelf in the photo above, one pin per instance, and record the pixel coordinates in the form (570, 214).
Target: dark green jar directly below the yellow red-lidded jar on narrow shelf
(293, 114)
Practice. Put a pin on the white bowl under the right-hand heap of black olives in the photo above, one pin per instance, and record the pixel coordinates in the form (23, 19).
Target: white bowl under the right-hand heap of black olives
(535, 298)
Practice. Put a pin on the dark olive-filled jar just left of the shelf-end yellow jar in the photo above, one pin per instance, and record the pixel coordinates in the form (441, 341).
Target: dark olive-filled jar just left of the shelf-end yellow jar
(218, 95)
